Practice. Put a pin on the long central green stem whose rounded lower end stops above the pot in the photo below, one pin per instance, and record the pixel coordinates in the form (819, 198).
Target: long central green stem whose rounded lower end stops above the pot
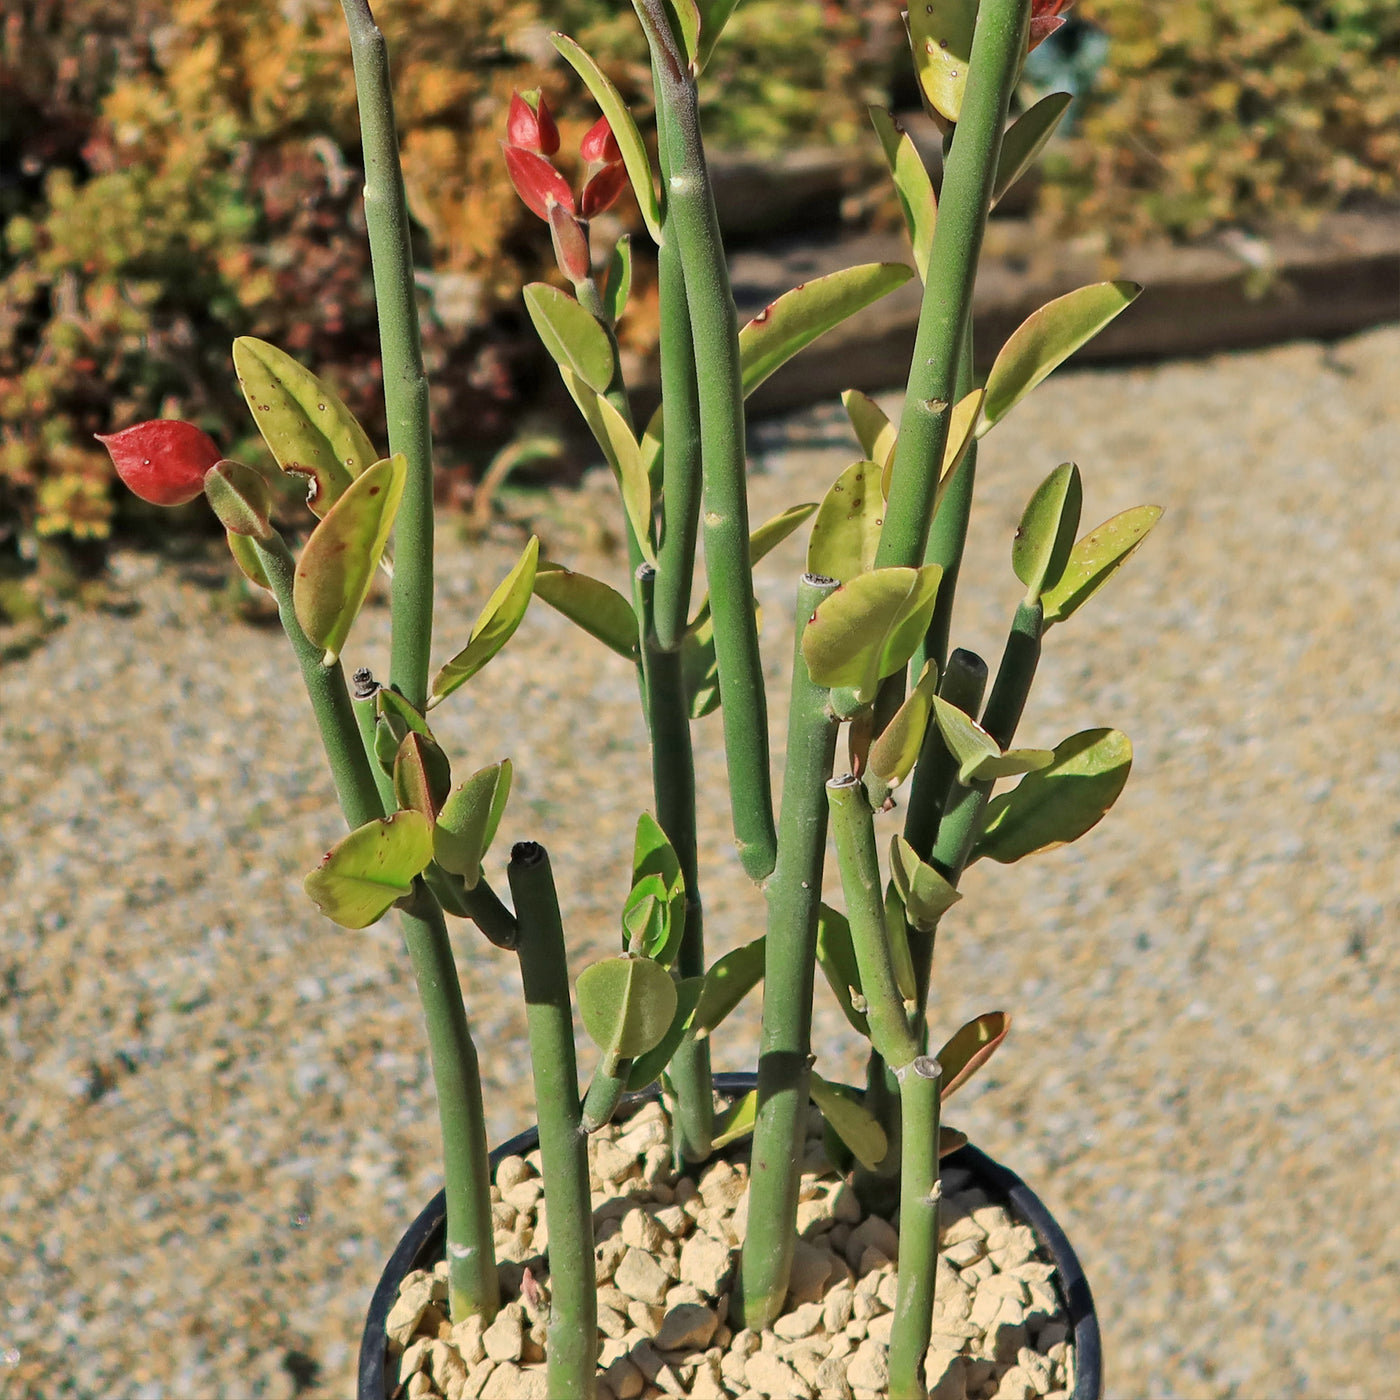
(715, 327)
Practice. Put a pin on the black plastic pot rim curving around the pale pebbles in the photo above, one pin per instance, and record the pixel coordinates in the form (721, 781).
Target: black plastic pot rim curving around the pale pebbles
(426, 1242)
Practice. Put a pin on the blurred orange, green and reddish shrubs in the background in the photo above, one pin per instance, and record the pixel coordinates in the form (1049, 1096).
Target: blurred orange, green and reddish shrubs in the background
(176, 173)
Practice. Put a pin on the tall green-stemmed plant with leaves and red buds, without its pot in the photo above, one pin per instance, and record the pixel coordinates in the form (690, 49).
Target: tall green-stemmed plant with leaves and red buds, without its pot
(874, 659)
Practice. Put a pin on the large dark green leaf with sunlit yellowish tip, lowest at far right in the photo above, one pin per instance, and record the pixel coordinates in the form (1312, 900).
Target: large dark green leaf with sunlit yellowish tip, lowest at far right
(1058, 804)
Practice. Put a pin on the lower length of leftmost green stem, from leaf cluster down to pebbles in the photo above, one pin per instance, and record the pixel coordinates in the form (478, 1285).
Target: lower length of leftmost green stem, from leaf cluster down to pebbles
(471, 1255)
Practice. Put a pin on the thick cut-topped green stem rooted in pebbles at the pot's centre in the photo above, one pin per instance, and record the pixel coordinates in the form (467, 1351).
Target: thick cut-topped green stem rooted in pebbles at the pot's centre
(786, 1045)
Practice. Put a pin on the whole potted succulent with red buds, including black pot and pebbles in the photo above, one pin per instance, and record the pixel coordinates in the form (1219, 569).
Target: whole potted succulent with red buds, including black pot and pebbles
(715, 1235)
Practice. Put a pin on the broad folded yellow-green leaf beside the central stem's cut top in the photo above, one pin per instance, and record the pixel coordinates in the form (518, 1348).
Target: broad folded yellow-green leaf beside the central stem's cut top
(870, 628)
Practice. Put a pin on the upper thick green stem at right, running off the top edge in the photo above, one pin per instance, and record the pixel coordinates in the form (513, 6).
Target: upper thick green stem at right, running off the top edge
(997, 50)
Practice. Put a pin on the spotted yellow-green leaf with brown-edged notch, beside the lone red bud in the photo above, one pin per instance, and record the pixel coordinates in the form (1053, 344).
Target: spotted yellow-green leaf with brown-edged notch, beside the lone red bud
(304, 423)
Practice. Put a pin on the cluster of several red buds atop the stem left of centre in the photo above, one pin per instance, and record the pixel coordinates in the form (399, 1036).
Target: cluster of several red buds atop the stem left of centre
(531, 139)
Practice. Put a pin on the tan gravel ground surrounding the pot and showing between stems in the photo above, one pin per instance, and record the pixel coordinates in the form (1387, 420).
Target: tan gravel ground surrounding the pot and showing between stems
(218, 1116)
